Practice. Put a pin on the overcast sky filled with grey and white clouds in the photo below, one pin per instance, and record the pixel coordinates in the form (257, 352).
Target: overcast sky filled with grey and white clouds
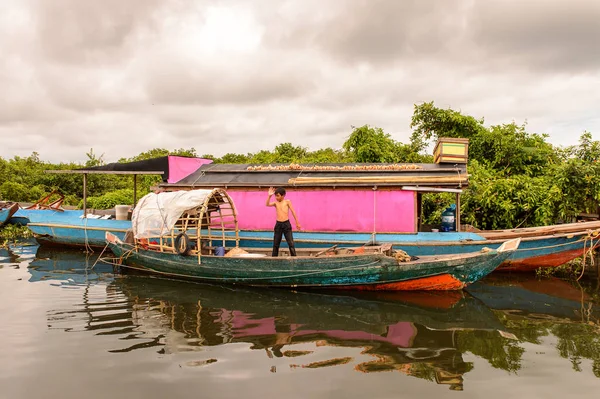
(126, 76)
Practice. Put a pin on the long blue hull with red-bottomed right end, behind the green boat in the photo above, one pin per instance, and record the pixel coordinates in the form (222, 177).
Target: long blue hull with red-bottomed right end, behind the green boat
(547, 246)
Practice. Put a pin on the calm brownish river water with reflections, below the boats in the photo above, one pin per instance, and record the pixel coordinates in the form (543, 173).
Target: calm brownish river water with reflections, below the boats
(70, 330)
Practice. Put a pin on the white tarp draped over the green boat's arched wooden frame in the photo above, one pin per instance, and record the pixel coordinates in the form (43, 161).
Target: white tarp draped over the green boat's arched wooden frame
(156, 214)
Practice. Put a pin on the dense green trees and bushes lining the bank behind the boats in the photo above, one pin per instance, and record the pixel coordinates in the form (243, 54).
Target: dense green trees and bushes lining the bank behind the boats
(517, 178)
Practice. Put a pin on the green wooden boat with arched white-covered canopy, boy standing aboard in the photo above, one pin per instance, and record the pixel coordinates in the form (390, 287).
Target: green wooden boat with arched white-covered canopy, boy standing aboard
(169, 228)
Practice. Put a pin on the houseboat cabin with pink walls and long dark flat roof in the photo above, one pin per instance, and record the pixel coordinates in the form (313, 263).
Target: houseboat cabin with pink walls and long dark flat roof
(370, 198)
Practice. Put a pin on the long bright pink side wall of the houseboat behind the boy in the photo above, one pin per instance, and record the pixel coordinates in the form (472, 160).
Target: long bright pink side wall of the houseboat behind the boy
(339, 210)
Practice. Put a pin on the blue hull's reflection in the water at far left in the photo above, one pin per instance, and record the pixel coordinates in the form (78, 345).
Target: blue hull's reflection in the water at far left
(69, 266)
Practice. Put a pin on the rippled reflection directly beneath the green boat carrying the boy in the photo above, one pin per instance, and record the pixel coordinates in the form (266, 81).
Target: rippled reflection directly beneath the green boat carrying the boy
(412, 332)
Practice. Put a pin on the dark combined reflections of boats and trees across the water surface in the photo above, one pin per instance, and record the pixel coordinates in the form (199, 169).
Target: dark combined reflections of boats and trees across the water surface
(438, 337)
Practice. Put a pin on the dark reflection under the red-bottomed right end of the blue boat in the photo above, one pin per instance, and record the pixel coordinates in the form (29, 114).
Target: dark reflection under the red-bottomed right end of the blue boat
(547, 298)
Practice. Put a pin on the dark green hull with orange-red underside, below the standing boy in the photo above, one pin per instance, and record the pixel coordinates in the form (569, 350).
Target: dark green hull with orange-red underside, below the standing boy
(374, 271)
